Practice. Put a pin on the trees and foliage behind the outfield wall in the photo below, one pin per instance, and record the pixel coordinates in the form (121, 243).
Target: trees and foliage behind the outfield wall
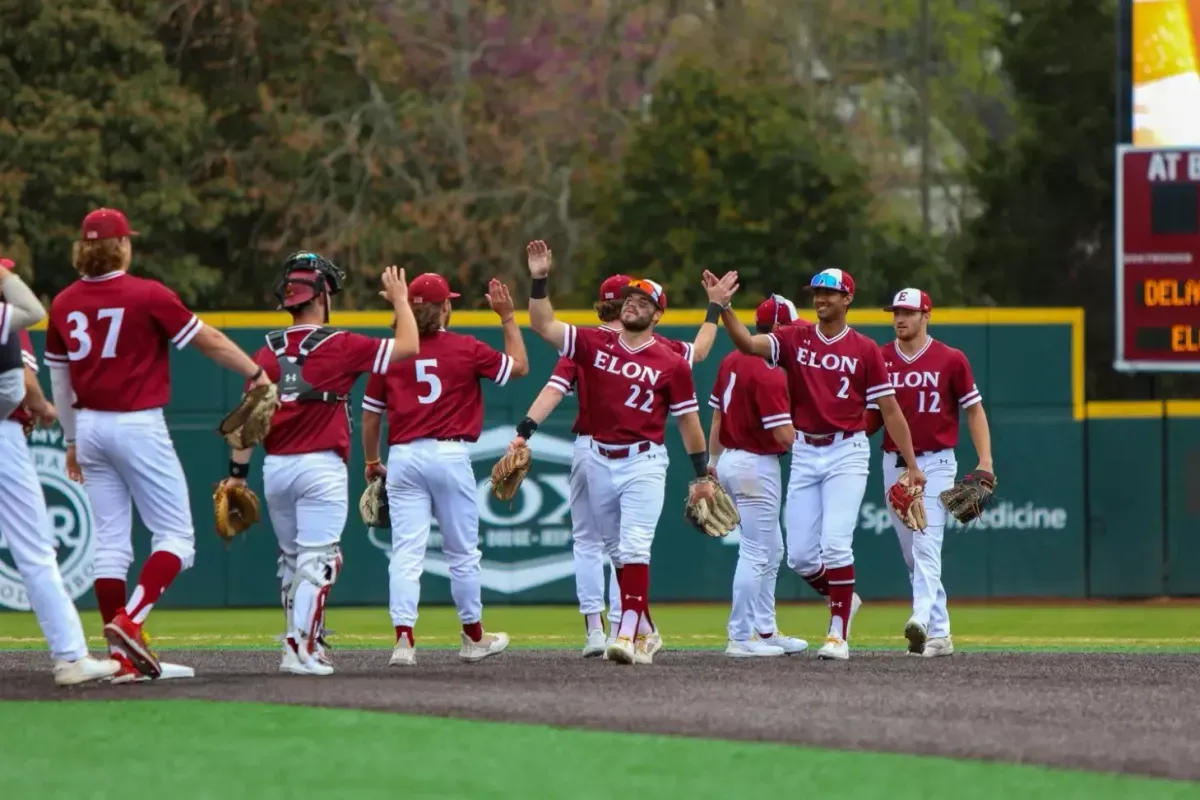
(657, 137)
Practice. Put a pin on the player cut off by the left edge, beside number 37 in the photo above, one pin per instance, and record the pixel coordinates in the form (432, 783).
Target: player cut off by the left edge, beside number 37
(25, 522)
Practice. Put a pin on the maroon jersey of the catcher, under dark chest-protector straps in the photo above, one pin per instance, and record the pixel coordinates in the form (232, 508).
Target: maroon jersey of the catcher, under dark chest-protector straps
(315, 417)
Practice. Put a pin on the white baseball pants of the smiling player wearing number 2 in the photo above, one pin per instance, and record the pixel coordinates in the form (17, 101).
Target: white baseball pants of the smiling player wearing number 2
(825, 492)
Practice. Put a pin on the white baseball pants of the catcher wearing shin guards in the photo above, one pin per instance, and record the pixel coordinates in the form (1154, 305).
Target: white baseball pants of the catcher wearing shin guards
(308, 498)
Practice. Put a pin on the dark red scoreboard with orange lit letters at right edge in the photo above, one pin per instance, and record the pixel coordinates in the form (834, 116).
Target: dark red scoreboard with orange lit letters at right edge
(1157, 260)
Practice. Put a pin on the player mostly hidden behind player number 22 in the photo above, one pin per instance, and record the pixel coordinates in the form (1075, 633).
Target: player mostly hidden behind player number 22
(587, 543)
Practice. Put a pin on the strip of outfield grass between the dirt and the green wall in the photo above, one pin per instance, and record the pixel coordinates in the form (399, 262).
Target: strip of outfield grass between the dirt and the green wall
(1076, 627)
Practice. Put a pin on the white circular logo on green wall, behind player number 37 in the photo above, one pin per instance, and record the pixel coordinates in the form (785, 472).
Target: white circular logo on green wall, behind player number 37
(70, 525)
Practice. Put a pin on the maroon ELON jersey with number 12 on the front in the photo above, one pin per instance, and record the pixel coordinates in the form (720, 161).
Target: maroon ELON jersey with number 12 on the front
(931, 387)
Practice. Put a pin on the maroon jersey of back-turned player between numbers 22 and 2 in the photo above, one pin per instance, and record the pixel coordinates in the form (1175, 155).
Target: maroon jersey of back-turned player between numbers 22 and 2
(753, 399)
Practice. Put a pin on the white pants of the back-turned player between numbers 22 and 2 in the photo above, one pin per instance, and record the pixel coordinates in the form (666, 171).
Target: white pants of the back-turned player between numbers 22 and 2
(754, 483)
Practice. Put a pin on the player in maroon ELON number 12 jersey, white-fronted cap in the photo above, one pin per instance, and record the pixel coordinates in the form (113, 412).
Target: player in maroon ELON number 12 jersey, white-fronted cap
(933, 383)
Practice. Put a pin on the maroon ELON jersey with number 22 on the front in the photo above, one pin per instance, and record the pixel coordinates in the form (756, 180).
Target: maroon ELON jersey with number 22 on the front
(629, 393)
